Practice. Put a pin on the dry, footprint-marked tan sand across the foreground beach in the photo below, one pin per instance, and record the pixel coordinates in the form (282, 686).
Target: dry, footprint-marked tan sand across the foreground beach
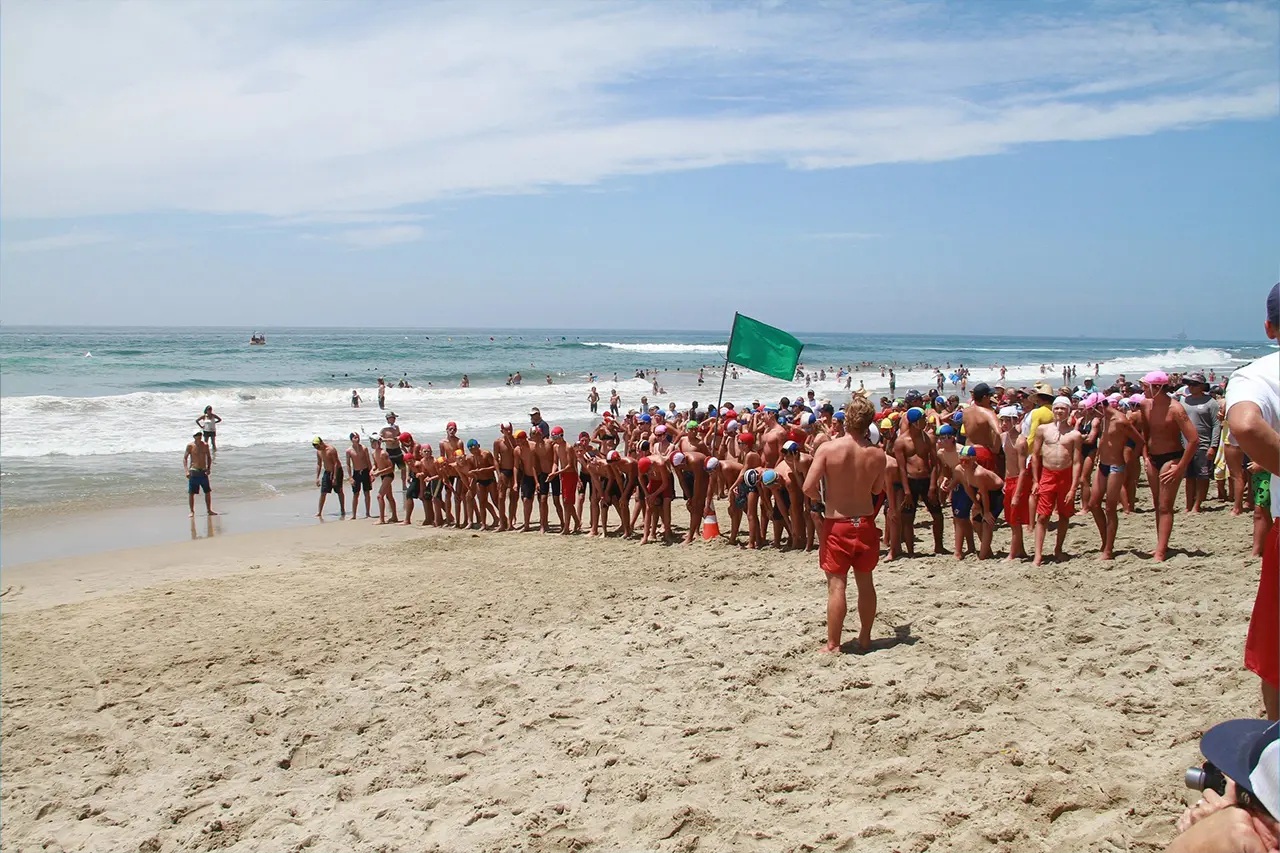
(374, 690)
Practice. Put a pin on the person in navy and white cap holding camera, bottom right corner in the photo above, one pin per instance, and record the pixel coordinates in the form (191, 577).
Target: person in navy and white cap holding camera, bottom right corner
(1241, 781)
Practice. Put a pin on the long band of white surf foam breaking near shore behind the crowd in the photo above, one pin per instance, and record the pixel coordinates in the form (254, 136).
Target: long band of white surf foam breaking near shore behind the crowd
(163, 423)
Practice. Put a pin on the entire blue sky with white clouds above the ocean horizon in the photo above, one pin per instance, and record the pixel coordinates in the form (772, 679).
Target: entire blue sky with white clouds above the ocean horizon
(1026, 168)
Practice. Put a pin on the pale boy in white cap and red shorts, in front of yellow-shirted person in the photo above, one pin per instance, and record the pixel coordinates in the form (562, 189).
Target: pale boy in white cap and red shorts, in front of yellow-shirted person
(1057, 462)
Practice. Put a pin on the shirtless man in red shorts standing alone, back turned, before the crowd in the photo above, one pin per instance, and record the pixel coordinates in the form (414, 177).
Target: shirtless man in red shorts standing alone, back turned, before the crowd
(849, 473)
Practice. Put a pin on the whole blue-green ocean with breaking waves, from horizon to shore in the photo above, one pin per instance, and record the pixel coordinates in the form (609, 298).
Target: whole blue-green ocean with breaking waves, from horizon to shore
(102, 417)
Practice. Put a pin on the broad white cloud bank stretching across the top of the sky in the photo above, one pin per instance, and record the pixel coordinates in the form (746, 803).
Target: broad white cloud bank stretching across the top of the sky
(299, 111)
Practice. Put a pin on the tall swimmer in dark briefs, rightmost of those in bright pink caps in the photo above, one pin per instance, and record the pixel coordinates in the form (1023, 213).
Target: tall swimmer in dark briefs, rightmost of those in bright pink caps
(1172, 445)
